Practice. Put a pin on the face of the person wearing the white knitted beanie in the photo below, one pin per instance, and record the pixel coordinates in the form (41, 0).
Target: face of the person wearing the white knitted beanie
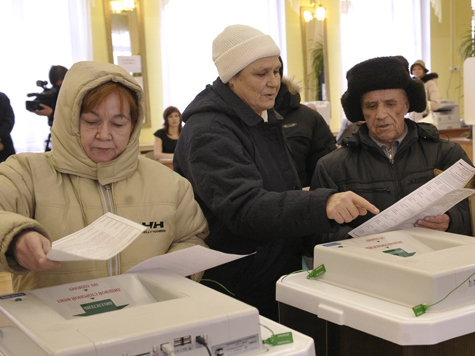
(258, 84)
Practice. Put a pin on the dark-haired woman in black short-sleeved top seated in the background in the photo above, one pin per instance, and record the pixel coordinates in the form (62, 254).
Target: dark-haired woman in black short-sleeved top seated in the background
(166, 138)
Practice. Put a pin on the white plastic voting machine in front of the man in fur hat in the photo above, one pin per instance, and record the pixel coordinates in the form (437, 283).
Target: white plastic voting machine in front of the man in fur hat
(373, 283)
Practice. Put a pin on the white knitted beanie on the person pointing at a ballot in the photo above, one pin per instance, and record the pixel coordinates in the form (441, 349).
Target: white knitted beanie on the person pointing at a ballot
(237, 47)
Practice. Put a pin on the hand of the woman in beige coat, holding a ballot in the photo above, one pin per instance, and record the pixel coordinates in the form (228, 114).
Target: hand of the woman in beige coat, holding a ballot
(30, 248)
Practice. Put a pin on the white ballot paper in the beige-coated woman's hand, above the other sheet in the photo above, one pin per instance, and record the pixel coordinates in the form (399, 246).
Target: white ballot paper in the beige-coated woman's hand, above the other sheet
(101, 240)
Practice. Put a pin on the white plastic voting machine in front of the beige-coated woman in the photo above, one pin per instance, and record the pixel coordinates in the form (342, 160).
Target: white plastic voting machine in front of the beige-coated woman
(154, 312)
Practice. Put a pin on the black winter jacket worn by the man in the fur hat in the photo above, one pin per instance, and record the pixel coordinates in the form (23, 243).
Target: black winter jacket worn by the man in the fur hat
(362, 167)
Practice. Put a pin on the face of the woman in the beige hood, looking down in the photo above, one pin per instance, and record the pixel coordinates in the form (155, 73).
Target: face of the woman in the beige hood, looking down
(105, 131)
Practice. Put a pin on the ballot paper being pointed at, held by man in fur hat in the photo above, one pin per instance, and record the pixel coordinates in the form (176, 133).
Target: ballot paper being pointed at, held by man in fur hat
(433, 198)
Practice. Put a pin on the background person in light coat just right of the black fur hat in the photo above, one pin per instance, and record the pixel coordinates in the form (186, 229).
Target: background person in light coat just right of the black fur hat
(419, 71)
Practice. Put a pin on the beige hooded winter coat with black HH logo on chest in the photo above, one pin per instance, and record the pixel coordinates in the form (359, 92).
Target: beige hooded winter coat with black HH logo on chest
(59, 192)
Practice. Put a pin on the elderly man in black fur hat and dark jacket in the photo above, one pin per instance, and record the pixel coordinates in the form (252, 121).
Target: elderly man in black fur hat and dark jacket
(389, 156)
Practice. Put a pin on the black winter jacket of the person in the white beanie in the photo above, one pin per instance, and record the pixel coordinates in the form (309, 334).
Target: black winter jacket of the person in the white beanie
(246, 183)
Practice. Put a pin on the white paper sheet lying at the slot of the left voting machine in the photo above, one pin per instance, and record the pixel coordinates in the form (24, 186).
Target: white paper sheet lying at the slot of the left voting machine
(187, 261)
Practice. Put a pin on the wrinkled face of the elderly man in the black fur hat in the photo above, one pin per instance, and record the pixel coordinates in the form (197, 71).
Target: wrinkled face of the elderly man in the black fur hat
(384, 112)
